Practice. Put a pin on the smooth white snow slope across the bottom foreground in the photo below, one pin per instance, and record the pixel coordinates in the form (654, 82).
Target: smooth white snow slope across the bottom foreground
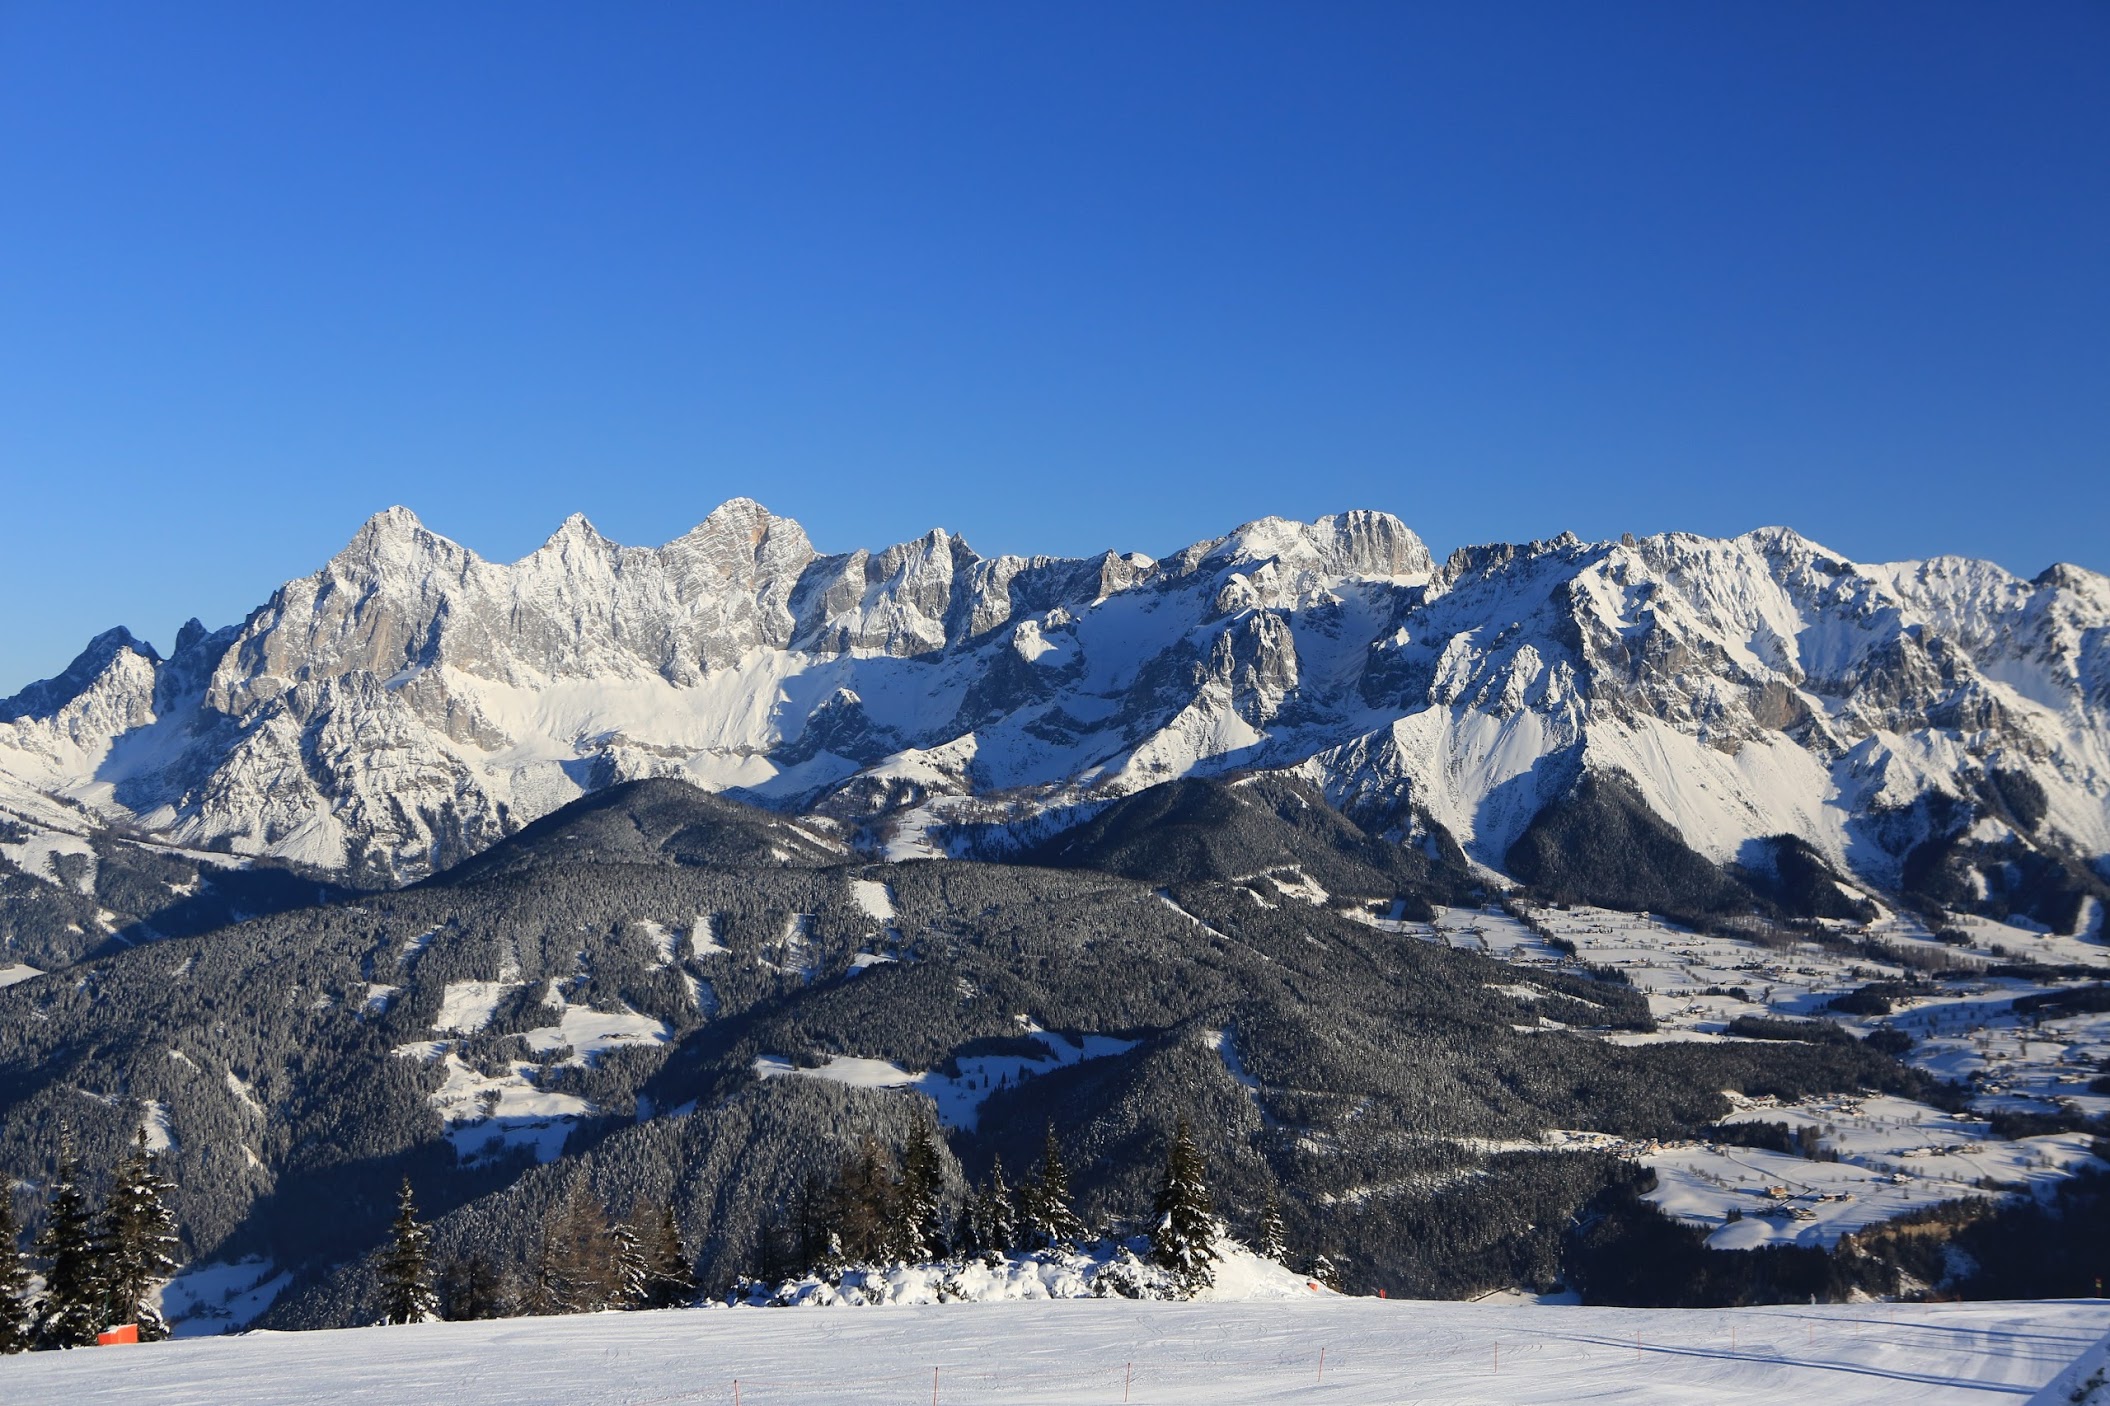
(1200, 1354)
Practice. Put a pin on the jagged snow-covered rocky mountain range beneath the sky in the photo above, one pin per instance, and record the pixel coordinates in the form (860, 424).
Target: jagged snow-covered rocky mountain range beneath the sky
(1930, 727)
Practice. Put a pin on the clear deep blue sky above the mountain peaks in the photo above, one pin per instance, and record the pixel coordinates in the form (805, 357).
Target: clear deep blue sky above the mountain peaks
(1056, 275)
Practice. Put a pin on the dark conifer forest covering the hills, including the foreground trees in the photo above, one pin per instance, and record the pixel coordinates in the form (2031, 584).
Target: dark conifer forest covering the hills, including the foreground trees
(410, 1101)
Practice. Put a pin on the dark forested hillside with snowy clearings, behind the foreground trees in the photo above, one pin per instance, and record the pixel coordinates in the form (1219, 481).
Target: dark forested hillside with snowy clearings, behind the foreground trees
(674, 1002)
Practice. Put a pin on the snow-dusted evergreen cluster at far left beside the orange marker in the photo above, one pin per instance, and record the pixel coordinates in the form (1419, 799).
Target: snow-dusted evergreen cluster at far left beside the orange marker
(100, 1266)
